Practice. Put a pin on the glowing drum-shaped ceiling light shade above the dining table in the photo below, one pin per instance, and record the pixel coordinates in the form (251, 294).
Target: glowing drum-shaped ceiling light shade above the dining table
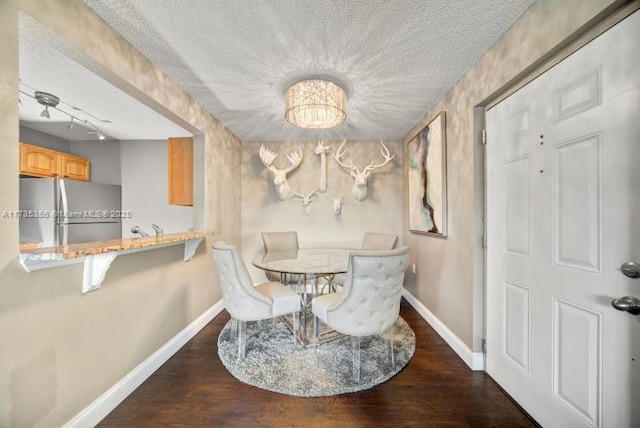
(315, 104)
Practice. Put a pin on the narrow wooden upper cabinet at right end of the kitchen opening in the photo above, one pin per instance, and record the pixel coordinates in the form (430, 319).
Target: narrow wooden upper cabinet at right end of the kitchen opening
(181, 171)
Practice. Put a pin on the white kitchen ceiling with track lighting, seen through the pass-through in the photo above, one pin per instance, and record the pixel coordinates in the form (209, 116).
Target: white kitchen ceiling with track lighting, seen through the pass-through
(45, 67)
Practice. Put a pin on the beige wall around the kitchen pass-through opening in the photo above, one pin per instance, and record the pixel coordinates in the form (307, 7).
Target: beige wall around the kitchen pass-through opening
(60, 349)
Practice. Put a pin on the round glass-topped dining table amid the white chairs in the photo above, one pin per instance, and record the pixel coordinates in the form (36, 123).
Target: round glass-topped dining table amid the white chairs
(309, 271)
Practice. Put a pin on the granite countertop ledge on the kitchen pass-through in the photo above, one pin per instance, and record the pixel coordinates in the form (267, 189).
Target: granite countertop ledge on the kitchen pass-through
(92, 248)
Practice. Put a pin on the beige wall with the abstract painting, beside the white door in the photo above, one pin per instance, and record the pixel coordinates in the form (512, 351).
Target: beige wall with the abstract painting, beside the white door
(450, 273)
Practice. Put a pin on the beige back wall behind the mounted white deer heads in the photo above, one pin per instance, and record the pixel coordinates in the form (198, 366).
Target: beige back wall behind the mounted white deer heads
(263, 211)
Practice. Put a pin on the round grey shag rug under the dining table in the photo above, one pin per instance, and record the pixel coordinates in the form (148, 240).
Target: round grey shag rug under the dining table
(275, 363)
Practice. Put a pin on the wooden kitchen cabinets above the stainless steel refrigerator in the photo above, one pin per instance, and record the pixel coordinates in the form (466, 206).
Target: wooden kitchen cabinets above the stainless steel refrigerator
(42, 162)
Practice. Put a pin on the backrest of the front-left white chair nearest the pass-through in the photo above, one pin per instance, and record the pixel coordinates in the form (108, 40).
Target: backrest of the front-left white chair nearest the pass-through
(241, 299)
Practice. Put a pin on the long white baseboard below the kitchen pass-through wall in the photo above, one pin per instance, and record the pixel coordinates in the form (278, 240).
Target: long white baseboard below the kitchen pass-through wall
(96, 411)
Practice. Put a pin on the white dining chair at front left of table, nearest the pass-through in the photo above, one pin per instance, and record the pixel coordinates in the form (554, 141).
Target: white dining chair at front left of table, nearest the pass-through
(246, 302)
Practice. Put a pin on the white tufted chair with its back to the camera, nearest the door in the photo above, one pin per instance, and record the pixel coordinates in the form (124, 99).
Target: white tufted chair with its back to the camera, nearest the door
(369, 302)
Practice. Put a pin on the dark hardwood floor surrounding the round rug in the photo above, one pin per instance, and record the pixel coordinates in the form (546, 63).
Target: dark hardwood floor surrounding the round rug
(435, 389)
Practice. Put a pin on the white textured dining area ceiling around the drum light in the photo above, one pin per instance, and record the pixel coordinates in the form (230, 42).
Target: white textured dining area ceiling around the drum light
(237, 57)
